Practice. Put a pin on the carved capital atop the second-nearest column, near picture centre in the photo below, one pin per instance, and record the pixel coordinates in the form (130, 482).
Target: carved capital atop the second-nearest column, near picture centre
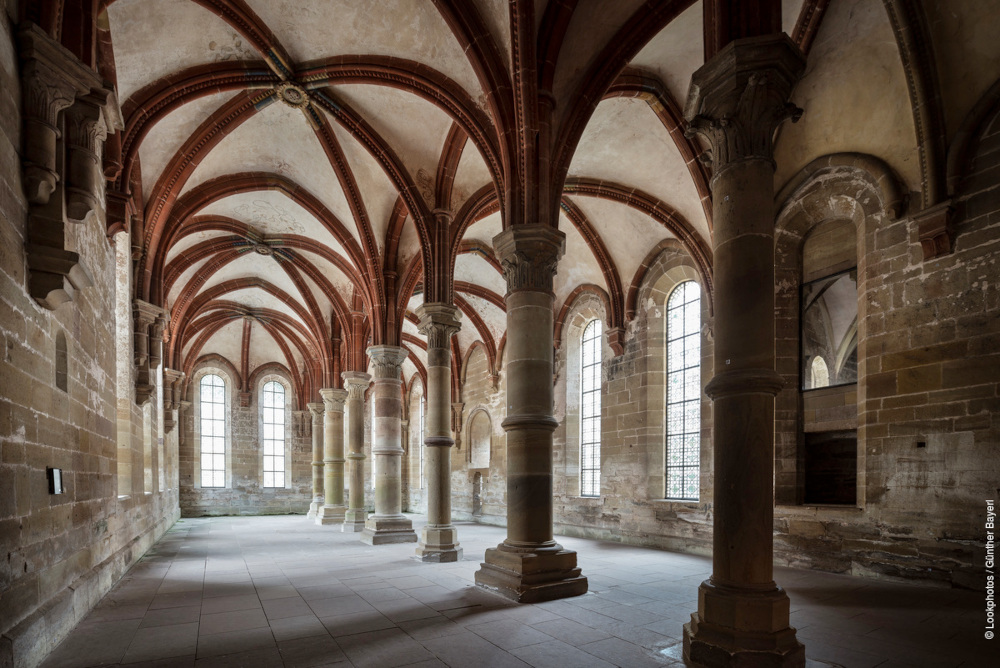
(529, 255)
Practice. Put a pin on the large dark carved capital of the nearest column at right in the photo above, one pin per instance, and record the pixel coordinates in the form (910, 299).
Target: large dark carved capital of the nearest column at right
(739, 97)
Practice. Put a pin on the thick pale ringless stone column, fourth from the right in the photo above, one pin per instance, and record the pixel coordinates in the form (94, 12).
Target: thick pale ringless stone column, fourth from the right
(388, 524)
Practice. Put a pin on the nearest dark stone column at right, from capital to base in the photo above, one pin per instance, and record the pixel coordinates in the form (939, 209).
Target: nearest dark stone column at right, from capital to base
(736, 101)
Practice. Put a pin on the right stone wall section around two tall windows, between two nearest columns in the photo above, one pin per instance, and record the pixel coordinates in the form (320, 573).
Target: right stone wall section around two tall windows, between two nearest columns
(631, 507)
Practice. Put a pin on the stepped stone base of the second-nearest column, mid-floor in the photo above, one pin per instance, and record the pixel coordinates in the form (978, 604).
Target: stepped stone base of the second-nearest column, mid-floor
(530, 575)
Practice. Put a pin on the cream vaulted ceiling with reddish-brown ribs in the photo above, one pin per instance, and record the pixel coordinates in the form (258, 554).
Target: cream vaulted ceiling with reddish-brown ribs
(285, 157)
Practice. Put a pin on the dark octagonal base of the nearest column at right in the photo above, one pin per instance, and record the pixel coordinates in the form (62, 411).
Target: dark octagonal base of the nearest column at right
(747, 627)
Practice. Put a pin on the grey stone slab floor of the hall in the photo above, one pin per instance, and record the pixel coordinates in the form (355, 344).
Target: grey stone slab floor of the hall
(281, 591)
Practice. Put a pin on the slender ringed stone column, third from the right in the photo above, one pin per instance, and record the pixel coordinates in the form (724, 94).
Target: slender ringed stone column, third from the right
(439, 539)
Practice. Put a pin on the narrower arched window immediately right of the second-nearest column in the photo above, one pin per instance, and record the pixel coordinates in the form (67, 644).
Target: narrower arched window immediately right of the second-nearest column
(590, 410)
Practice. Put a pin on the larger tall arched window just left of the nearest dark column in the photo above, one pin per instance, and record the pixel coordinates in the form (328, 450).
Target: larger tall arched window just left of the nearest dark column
(684, 391)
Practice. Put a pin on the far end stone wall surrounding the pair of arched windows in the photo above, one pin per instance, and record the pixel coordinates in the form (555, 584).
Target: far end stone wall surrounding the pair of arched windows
(244, 493)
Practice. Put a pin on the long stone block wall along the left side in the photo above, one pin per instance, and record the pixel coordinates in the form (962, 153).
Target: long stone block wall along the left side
(62, 553)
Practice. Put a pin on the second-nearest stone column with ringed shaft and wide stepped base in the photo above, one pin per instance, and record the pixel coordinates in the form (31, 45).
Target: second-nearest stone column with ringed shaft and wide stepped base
(529, 566)
